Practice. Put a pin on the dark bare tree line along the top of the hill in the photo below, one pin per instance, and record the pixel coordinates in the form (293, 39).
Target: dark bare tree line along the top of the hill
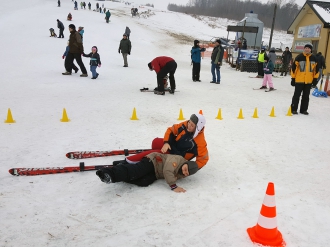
(286, 11)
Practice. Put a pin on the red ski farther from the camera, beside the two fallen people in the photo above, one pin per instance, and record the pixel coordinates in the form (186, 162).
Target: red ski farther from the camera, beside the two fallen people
(94, 154)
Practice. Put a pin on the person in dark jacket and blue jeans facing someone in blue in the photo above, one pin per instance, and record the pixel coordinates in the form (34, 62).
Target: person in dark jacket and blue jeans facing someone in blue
(216, 61)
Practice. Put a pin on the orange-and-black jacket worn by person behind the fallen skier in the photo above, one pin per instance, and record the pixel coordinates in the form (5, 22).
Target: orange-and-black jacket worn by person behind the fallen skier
(183, 143)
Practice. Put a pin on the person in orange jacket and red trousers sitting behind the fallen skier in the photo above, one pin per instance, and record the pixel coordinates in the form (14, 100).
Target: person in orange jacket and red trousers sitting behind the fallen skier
(186, 139)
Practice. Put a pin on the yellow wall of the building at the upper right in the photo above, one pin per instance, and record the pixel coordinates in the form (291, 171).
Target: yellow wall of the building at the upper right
(311, 19)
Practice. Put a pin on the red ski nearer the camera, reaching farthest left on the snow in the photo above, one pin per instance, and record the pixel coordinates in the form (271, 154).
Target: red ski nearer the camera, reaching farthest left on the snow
(53, 170)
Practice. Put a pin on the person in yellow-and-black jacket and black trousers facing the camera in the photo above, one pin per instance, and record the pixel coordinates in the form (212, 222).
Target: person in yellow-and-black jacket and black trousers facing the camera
(304, 73)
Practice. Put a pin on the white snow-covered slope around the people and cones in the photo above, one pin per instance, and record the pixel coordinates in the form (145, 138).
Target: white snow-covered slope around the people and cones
(222, 200)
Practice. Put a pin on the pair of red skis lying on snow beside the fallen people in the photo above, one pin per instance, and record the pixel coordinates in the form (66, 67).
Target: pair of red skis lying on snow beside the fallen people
(74, 155)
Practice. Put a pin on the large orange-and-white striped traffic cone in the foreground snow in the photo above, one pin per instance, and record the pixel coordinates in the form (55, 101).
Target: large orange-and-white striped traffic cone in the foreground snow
(265, 232)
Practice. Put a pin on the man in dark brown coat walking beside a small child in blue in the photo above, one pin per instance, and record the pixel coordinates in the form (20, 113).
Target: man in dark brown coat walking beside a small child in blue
(75, 50)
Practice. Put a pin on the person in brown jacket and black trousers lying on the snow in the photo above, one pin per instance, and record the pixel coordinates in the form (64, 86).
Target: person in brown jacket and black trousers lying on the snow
(152, 167)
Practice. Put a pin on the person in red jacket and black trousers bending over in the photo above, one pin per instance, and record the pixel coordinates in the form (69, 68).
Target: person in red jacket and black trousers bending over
(163, 66)
